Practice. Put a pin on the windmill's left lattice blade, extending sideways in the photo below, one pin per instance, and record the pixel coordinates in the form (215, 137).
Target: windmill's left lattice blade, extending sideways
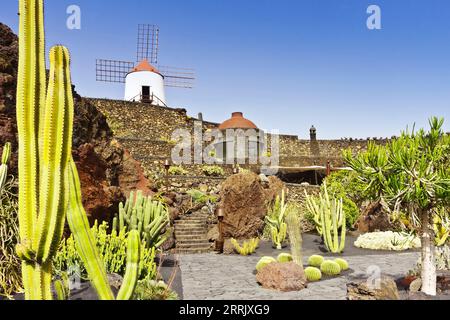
(112, 70)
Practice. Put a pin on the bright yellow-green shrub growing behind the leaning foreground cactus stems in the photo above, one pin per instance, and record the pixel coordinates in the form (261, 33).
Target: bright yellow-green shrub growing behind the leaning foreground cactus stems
(112, 249)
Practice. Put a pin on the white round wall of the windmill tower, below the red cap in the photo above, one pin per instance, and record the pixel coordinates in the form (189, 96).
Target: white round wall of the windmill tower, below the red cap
(135, 80)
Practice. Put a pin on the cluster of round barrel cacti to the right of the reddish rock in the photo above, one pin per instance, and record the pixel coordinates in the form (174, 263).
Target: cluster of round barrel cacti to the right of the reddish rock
(326, 267)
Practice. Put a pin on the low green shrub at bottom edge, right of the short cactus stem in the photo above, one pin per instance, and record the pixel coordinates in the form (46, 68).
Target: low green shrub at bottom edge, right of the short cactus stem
(148, 289)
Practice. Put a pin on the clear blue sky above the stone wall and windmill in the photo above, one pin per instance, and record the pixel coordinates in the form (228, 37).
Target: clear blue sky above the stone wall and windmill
(285, 64)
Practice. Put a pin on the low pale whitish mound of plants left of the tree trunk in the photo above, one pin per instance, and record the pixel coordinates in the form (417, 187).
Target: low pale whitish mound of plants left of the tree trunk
(388, 240)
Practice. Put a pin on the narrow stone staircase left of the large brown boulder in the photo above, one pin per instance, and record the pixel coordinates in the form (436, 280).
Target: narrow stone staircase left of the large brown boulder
(191, 234)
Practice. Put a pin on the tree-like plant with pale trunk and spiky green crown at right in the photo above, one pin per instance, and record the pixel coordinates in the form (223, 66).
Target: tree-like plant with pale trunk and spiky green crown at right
(411, 172)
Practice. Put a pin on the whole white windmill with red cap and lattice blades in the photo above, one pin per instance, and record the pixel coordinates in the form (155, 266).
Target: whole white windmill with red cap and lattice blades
(143, 81)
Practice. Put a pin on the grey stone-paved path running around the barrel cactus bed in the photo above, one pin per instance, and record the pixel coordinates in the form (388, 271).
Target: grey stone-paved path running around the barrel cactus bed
(221, 277)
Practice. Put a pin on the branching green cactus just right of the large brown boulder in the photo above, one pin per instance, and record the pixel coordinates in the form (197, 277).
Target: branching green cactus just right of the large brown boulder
(275, 220)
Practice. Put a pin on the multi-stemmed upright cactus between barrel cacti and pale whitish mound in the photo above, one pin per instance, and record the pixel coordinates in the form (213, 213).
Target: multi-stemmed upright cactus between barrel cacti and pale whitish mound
(330, 220)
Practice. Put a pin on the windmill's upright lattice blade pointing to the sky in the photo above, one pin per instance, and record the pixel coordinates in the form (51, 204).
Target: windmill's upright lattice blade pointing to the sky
(147, 43)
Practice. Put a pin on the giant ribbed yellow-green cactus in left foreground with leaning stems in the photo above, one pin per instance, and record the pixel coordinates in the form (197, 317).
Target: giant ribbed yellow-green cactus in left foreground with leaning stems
(49, 186)
